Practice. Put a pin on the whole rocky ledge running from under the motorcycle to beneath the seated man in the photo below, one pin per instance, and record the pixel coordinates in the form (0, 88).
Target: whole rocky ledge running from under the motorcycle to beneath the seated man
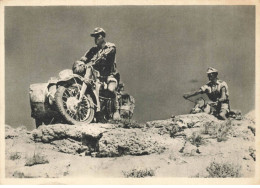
(109, 140)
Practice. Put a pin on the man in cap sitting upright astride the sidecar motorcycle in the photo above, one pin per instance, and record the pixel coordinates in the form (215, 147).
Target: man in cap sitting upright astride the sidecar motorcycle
(103, 54)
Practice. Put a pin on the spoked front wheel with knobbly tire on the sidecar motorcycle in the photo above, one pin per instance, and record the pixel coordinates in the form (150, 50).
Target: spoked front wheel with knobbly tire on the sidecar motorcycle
(65, 102)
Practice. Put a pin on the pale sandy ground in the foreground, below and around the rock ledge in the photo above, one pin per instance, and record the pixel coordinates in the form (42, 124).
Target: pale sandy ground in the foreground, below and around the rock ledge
(236, 150)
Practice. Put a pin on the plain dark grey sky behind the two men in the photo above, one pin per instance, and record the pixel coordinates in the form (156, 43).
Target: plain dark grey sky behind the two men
(162, 52)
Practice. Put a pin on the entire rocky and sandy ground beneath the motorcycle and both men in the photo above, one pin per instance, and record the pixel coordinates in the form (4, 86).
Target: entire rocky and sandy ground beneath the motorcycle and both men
(183, 146)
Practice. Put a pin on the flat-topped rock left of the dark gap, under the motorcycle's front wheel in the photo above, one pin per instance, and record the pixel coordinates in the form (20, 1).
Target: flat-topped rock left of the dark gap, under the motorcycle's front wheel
(72, 139)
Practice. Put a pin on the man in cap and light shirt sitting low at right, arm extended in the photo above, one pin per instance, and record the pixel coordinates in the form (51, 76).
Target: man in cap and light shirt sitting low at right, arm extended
(217, 91)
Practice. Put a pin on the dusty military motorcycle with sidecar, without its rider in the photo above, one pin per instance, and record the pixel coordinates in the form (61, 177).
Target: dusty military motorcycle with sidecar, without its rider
(75, 98)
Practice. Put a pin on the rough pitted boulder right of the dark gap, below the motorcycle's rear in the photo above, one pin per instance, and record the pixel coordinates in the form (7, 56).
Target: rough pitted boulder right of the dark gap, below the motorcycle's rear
(129, 142)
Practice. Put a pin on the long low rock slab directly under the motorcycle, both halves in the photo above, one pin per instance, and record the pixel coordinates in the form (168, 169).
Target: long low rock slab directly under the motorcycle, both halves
(100, 140)
